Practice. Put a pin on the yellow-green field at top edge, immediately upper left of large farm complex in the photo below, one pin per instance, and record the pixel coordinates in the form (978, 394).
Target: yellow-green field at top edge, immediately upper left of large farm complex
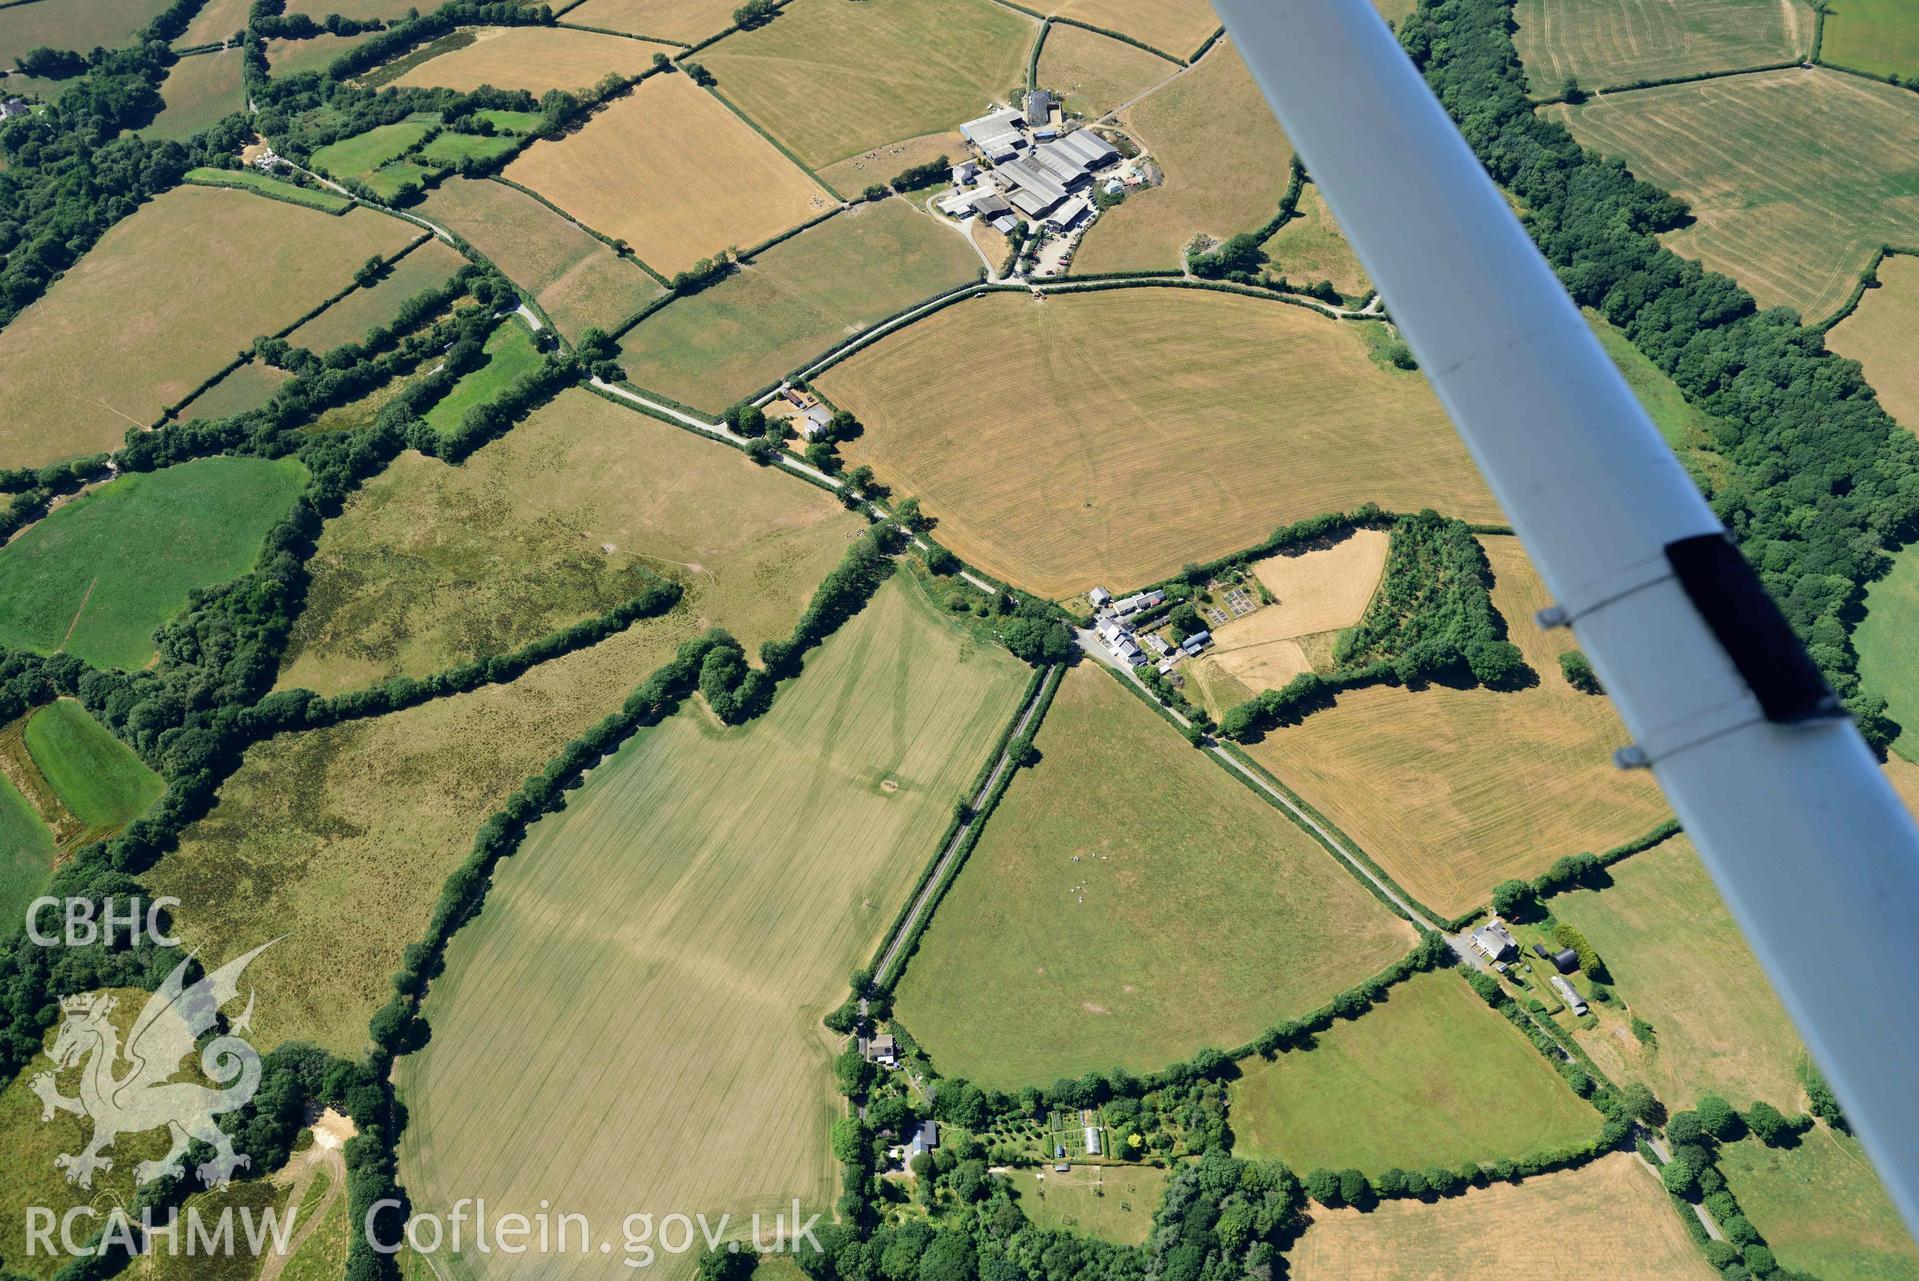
(836, 80)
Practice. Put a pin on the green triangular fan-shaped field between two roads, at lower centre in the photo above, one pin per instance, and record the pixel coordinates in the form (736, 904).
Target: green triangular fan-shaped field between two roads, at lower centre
(1083, 931)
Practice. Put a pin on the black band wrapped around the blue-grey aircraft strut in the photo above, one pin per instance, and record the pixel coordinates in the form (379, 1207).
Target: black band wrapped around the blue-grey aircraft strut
(1753, 630)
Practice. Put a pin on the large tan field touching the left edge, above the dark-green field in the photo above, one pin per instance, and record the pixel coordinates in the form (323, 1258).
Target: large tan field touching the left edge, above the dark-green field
(239, 264)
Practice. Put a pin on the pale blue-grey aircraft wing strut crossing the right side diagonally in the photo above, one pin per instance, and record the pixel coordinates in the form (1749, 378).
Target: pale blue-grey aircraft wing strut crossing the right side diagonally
(1789, 810)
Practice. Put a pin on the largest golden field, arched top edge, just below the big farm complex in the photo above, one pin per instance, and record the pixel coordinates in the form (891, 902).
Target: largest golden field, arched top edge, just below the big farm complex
(1135, 431)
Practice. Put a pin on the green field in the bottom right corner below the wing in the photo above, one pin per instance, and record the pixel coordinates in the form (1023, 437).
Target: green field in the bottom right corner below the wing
(1822, 1209)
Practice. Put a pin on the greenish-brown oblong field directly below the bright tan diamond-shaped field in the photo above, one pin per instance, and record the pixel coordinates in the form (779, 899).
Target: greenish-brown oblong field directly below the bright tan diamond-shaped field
(794, 302)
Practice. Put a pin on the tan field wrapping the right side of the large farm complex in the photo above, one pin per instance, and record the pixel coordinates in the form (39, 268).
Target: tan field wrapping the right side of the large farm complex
(1225, 158)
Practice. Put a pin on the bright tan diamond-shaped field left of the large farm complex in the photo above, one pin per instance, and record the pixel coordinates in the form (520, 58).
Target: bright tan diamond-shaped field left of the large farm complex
(675, 174)
